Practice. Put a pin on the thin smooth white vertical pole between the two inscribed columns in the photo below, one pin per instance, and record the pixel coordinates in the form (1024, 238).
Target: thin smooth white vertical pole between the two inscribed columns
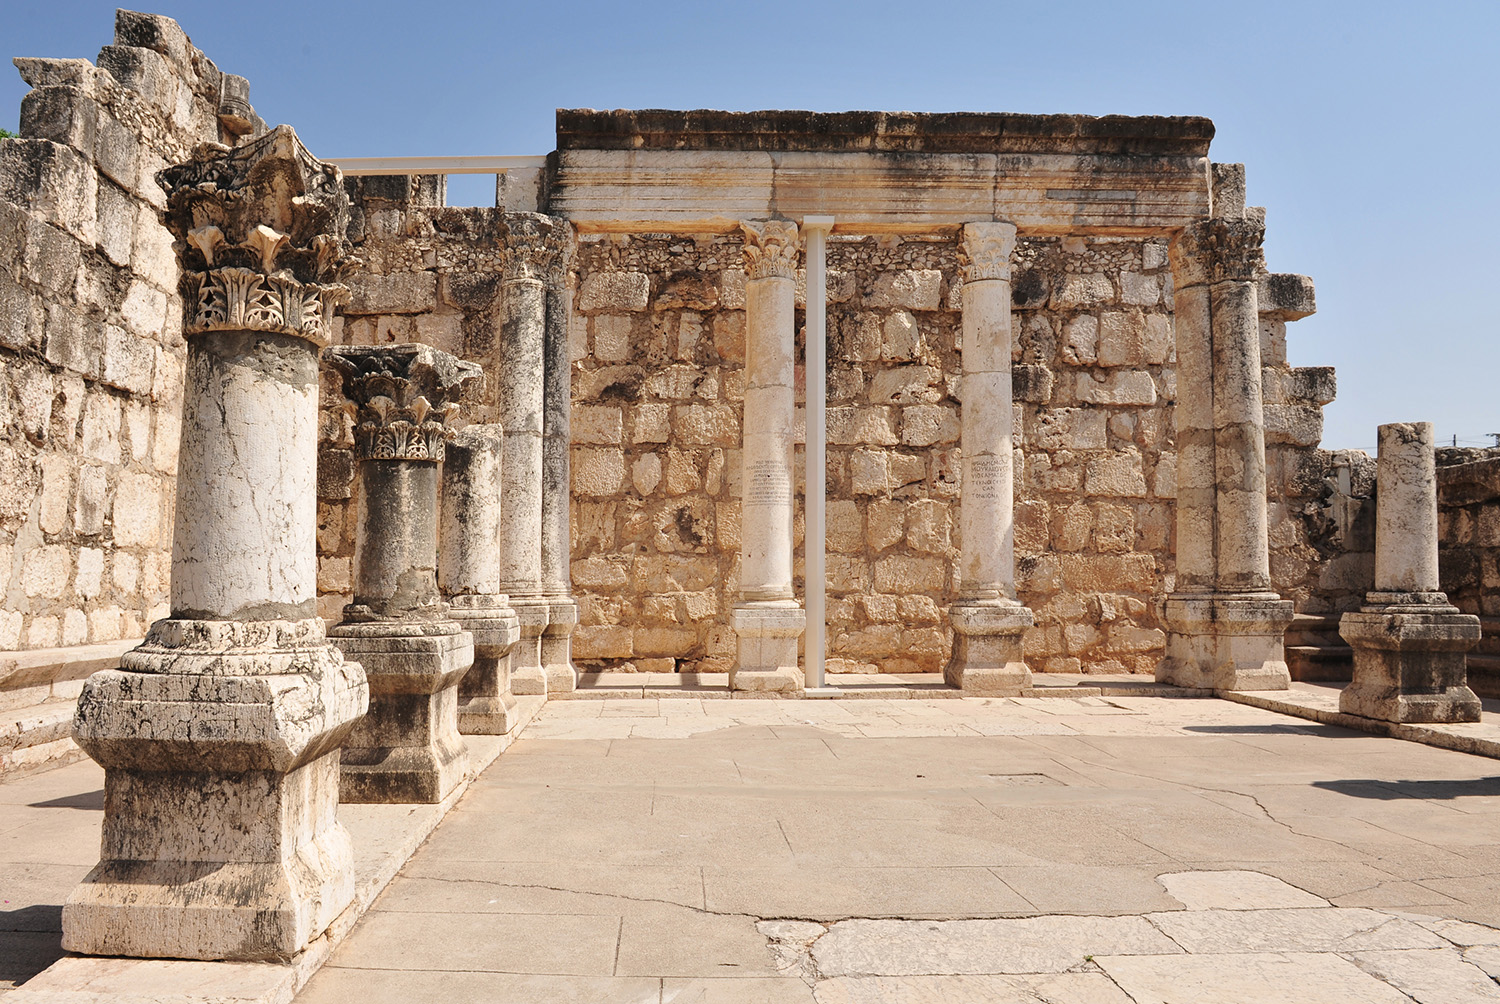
(815, 547)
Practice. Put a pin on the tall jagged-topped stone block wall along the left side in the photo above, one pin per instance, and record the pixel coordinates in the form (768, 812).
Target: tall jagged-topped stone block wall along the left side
(91, 331)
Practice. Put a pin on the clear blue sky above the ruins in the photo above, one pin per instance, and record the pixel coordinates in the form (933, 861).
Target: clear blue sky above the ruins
(1372, 131)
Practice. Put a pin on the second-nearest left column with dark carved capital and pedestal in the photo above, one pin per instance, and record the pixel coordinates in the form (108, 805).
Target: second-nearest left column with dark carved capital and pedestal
(409, 747)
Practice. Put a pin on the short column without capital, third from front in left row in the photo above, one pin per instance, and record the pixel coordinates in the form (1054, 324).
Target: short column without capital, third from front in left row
(469, 577)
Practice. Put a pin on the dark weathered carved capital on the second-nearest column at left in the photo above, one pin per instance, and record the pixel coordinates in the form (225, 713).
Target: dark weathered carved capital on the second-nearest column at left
(403, 398)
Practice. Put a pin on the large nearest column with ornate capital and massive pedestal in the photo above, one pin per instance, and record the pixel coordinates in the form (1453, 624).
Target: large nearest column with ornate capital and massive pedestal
(220, 736)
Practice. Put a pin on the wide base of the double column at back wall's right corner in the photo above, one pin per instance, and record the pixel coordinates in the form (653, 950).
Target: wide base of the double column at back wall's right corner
(1228, 643)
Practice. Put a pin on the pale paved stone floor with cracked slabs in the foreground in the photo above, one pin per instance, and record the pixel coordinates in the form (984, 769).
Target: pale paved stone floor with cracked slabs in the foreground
(1075, 852)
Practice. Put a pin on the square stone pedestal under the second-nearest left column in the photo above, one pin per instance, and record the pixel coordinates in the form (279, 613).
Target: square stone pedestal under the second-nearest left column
(409, 747)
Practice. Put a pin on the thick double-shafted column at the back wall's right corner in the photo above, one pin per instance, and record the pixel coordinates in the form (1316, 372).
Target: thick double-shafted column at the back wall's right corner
(1225, 624)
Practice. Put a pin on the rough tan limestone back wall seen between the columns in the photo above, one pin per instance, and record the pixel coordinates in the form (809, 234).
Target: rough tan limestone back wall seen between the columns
(658, 347)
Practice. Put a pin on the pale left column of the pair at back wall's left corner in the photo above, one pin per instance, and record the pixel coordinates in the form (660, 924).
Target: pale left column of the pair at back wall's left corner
(530, 250)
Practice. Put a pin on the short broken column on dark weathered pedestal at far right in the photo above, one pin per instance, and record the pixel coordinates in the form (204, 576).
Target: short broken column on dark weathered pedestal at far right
(1409, 642)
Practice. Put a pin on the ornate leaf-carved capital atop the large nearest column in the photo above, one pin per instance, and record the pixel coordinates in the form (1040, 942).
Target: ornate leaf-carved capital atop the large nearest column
(260, 236)
